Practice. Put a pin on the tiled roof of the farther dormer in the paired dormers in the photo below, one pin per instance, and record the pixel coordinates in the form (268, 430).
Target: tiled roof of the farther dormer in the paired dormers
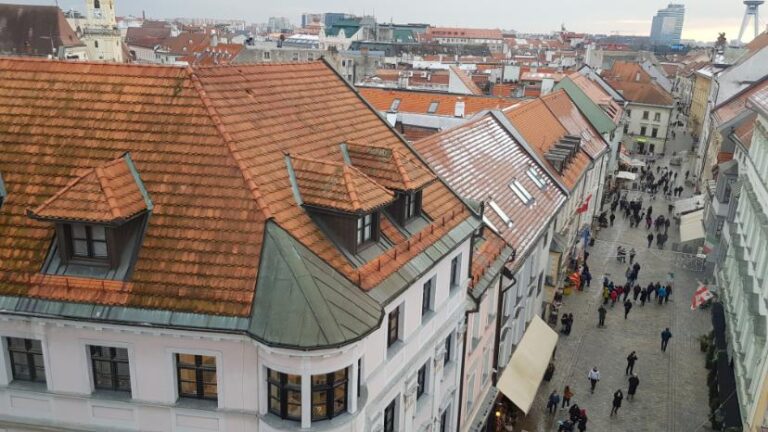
(390, 168)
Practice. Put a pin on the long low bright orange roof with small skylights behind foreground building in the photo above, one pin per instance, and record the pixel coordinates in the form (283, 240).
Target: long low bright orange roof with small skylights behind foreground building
(419, 102)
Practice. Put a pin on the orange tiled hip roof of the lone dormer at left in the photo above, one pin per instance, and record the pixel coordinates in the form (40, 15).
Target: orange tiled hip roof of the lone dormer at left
(109, 193)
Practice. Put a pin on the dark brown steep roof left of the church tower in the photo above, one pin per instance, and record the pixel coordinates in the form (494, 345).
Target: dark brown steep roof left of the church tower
(34, 30)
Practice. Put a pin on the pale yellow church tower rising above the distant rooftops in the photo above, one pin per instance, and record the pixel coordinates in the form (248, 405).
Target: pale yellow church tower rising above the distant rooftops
(100, 33)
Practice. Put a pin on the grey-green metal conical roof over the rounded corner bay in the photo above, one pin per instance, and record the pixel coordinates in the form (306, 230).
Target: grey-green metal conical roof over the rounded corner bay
(302, 302)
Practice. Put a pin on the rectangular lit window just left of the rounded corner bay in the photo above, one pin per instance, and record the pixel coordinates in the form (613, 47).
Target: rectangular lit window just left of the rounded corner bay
(196, 376)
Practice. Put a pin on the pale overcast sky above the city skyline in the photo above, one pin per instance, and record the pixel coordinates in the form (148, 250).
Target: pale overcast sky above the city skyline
(703, 20)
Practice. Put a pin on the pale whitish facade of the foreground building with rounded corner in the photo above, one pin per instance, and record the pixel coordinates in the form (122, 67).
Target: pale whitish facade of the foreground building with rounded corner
(68, 399)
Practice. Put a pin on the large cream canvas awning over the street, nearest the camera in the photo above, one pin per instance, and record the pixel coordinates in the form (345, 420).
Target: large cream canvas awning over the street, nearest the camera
(525, 370)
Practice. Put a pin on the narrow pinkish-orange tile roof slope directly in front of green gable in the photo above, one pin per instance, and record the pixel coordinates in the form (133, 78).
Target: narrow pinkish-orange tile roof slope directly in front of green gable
(570, 117)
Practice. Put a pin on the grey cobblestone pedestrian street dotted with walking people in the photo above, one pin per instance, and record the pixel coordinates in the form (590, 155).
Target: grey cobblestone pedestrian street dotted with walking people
(672, 395)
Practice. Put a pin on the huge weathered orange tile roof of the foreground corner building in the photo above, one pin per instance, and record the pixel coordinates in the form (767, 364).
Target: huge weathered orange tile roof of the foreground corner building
(209, 143)
